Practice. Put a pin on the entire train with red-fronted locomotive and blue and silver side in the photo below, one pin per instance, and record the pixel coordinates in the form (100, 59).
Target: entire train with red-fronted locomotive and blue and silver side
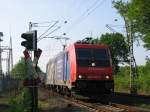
(83, 69)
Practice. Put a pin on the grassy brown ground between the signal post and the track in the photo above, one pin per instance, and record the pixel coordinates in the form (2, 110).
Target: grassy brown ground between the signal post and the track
(53, 103)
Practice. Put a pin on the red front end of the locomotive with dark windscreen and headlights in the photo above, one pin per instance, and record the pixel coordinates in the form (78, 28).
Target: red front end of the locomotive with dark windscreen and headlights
(91, 68)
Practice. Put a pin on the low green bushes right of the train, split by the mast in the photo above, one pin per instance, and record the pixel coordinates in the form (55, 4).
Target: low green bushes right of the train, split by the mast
(122, 79)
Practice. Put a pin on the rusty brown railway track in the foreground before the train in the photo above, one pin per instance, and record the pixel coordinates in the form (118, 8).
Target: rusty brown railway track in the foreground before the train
(100, 107)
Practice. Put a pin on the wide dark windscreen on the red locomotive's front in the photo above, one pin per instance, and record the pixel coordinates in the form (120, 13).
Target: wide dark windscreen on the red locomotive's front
(92, 57)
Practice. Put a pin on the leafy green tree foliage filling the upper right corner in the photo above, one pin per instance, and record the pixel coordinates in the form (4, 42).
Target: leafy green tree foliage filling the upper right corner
(136, 15)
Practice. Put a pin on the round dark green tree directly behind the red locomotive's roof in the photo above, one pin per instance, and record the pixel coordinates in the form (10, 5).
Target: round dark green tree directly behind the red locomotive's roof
(118, 47)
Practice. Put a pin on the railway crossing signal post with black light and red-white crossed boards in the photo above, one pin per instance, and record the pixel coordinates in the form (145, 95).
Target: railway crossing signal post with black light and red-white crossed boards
(32, 79)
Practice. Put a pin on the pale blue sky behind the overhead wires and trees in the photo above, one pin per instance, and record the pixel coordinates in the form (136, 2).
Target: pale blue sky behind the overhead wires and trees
(84, 18)
